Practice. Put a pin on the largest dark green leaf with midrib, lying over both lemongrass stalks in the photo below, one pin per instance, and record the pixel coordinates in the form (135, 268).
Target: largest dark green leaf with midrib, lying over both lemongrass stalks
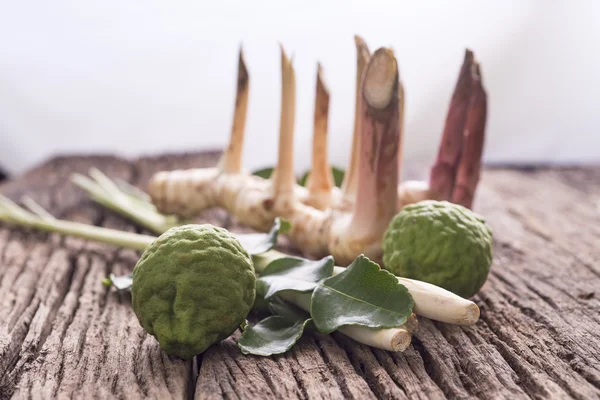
(363, 294)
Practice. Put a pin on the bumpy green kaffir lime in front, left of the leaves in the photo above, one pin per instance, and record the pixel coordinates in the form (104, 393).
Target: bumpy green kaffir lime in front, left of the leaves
(192, 287)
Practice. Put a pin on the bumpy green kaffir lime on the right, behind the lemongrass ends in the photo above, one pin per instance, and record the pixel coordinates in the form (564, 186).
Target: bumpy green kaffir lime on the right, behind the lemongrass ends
(441, 243)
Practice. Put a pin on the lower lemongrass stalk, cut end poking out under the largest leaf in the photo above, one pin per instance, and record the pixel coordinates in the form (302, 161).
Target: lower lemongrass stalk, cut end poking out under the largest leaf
(390, 339)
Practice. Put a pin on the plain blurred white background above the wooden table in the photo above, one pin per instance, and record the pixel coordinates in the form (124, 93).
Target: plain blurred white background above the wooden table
(144, 77)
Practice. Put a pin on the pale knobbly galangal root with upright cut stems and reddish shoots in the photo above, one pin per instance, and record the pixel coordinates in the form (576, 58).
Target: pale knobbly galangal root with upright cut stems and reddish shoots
(325, 220)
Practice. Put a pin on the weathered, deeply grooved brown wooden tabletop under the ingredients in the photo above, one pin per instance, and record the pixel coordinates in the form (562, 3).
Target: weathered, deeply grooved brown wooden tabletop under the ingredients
(62, 334)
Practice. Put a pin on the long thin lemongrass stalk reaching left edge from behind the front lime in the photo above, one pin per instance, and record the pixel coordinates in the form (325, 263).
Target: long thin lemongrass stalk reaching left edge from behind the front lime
(12, 213)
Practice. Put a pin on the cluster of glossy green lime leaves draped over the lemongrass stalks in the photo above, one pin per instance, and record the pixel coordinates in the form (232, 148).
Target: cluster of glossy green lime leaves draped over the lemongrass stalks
(363, 295)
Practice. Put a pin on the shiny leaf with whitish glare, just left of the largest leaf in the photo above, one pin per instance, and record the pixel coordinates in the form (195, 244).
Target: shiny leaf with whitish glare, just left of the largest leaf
(294, 273)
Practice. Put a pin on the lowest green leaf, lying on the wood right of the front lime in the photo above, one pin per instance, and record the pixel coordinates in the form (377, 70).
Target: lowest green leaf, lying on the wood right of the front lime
(273, 335)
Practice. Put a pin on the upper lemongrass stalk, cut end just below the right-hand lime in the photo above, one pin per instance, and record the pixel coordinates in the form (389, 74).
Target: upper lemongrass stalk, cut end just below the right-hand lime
(431, 301)
